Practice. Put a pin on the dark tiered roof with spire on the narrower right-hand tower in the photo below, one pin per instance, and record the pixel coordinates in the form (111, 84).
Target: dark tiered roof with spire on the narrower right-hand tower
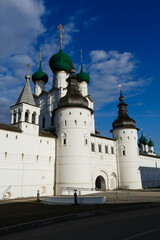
(123, 119)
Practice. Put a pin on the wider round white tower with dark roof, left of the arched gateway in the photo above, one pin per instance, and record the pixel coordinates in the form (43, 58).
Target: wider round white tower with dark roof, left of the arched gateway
(73, 127)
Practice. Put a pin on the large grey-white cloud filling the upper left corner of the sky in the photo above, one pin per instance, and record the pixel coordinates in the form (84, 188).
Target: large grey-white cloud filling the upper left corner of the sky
(17, 29)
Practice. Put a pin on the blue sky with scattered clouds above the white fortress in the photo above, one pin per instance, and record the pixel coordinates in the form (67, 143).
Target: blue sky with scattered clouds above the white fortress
(121, 45)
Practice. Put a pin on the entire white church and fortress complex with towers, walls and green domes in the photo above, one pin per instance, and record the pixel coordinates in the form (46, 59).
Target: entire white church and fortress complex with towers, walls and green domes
(51, 145)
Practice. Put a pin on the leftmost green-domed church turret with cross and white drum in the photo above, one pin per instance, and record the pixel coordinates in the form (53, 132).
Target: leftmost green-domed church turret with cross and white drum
(39, 79)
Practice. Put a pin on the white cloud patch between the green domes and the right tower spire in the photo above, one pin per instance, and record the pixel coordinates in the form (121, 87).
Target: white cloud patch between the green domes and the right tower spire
(108, 70)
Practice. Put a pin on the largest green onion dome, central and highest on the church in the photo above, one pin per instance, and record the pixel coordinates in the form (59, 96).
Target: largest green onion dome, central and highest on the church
(60, 62)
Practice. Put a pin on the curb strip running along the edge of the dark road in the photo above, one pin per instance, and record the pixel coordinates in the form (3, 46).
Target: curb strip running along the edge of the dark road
(47, 221)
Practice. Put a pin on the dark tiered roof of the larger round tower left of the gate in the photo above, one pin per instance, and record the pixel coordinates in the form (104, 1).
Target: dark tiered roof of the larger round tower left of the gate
(73, 97)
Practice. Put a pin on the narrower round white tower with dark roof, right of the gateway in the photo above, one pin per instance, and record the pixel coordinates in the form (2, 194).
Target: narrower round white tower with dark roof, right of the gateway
(125, 132)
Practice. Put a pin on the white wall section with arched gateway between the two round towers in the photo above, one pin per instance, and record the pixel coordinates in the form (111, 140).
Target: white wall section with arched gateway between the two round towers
(104, 162)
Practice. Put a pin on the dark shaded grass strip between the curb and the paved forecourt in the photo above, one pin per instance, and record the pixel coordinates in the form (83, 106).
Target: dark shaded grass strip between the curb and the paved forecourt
(16, 213)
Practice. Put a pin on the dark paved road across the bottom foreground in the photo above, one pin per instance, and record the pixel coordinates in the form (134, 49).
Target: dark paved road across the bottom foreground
(137, 224)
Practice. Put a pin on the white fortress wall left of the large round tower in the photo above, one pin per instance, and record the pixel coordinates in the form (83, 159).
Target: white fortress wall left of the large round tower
(26, 164)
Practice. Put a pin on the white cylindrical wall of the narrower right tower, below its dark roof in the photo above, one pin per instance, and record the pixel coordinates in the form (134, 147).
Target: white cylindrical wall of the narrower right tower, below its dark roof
(128, 158)
